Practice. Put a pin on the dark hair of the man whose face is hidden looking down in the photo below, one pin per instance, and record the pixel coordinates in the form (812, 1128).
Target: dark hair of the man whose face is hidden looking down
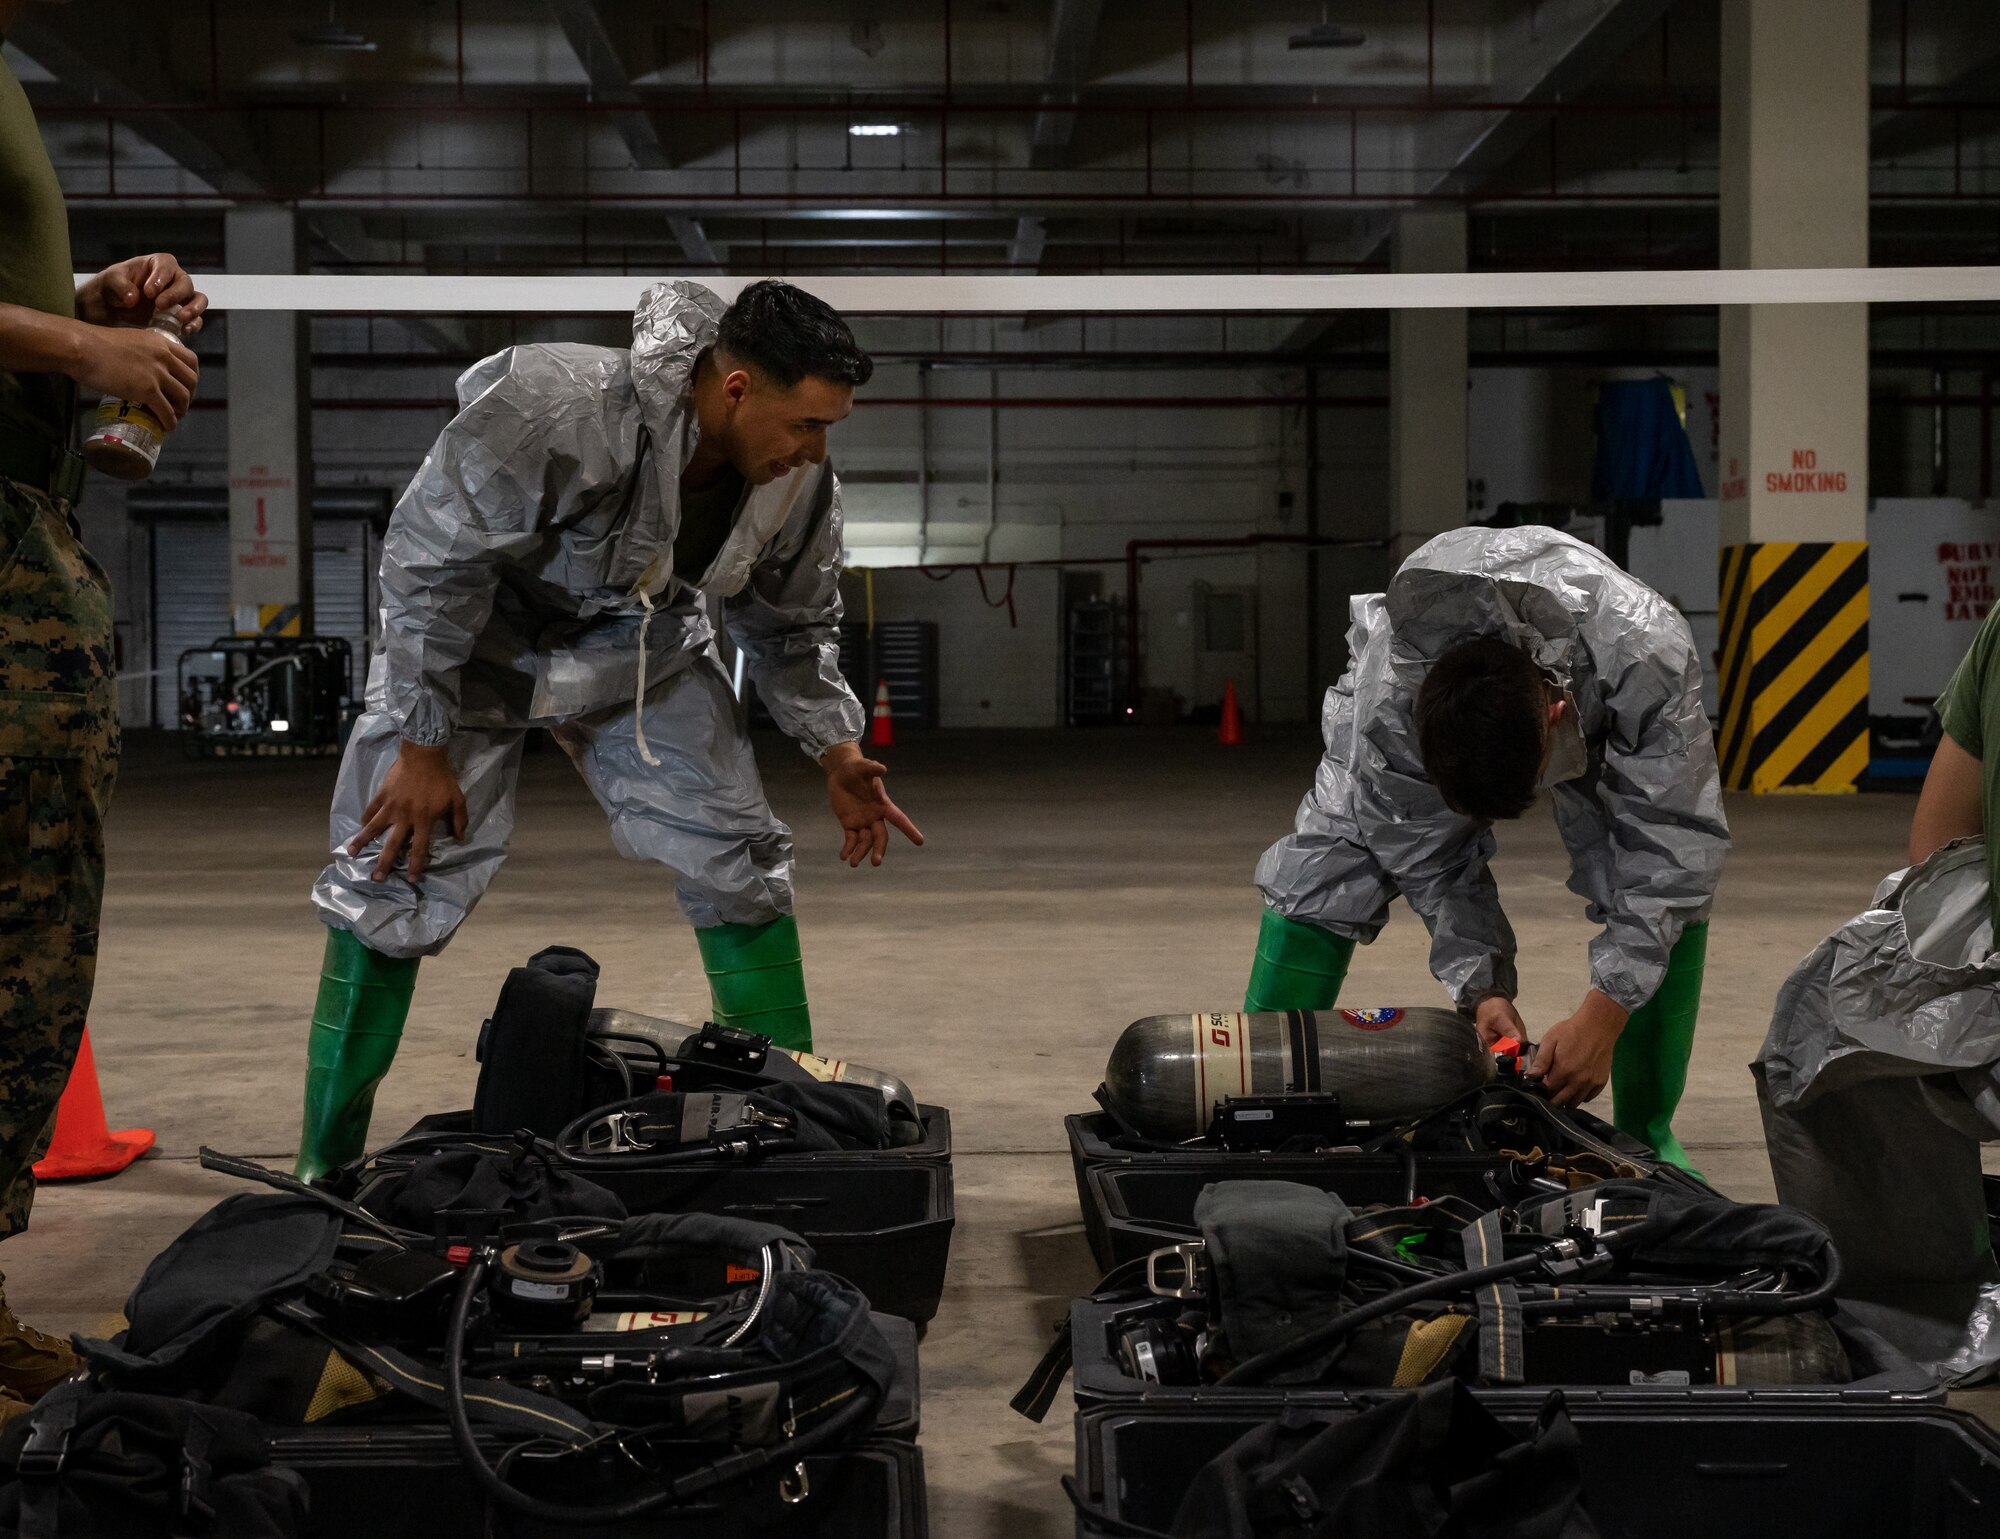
(1481, 723)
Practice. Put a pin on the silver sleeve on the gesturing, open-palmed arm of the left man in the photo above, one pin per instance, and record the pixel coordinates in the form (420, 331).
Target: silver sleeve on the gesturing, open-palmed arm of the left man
(787, 621)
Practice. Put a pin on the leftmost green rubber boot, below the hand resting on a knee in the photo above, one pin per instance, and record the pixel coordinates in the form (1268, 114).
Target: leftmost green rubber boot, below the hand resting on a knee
(357, 1022)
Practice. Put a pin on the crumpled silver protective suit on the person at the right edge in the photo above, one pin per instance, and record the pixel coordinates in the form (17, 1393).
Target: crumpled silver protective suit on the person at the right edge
(1879, 1082)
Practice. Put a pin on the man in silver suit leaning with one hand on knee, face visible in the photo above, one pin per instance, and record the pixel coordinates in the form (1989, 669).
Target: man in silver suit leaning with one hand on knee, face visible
(549, 567)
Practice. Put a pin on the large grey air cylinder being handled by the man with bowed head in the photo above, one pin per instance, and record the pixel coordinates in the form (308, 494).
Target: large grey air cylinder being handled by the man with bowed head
(1169, 1072)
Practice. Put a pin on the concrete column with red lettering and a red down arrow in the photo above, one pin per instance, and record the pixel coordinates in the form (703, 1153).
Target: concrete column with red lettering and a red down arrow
(271, 451)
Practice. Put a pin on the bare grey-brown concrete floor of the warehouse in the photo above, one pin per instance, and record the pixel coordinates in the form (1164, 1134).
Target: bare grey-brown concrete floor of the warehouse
(1071, 884)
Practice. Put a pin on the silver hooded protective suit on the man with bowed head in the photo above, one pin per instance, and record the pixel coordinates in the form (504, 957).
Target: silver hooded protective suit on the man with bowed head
(1643, 820)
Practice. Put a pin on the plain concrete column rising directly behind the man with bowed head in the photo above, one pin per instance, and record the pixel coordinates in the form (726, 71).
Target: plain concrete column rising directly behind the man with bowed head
(1427, 387)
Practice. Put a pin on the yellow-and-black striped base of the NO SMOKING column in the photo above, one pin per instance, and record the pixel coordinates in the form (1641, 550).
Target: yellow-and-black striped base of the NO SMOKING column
(1795, 667)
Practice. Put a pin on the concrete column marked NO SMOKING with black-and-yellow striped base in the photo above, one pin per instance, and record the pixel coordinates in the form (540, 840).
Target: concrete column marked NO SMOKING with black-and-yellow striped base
(1795, 401)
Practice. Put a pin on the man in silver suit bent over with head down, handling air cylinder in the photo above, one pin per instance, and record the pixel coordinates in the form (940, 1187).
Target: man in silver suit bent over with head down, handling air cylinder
(1501, 665)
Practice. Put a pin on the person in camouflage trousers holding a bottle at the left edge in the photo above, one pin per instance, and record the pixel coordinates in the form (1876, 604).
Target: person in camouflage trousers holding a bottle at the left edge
(59, 697)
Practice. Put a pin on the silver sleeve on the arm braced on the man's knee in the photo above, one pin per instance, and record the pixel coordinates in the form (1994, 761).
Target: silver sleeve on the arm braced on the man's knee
(533, 441)
